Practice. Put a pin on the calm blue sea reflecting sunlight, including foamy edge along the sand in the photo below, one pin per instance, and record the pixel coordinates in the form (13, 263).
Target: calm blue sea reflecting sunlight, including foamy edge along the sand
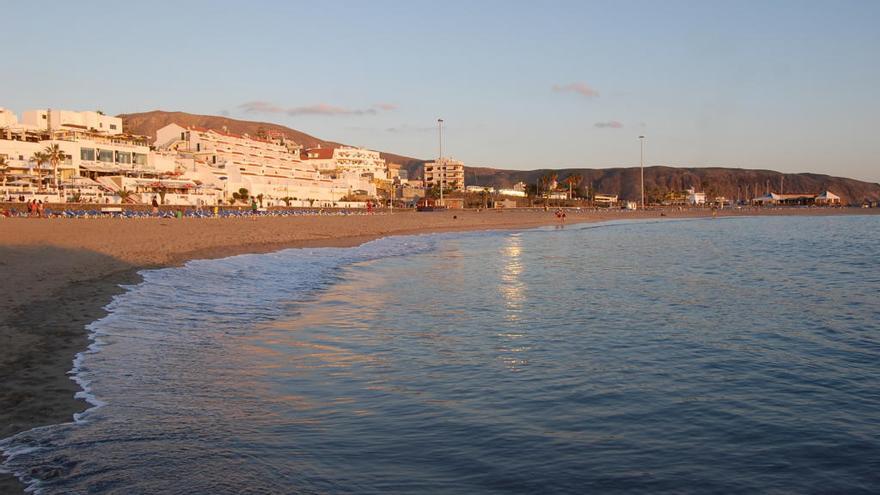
(702, 356)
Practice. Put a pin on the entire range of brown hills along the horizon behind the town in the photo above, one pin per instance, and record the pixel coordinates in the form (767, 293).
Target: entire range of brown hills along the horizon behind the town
(732, 183)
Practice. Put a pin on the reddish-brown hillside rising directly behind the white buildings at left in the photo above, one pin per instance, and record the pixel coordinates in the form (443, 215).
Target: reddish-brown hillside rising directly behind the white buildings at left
(147, 123)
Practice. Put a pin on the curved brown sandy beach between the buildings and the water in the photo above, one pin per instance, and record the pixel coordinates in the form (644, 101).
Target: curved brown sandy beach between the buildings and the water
(64, 277)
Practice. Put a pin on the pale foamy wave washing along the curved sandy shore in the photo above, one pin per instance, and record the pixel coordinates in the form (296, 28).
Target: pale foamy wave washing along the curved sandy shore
(239, 290)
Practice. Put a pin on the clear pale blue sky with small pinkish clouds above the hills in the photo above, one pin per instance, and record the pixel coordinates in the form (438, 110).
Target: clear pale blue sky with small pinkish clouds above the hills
(783, 85)
